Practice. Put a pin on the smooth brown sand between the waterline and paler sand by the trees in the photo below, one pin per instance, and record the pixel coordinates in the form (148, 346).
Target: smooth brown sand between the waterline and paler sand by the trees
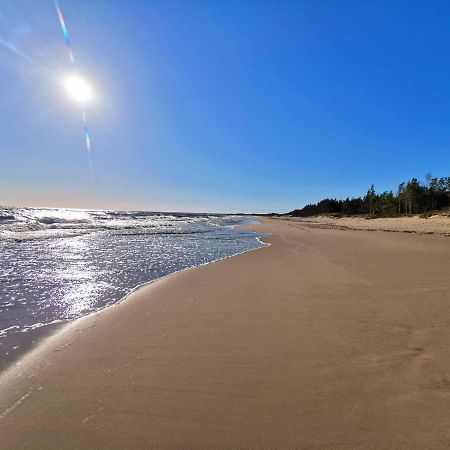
(328, 339)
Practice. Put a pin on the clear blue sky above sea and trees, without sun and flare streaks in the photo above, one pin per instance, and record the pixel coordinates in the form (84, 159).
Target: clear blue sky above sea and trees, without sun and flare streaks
(253, 106)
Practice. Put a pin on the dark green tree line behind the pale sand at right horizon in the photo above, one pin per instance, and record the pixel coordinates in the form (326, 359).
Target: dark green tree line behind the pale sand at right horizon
(412, 197)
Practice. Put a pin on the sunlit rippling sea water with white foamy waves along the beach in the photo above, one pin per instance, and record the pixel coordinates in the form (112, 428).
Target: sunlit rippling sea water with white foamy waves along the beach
(60, 264)
